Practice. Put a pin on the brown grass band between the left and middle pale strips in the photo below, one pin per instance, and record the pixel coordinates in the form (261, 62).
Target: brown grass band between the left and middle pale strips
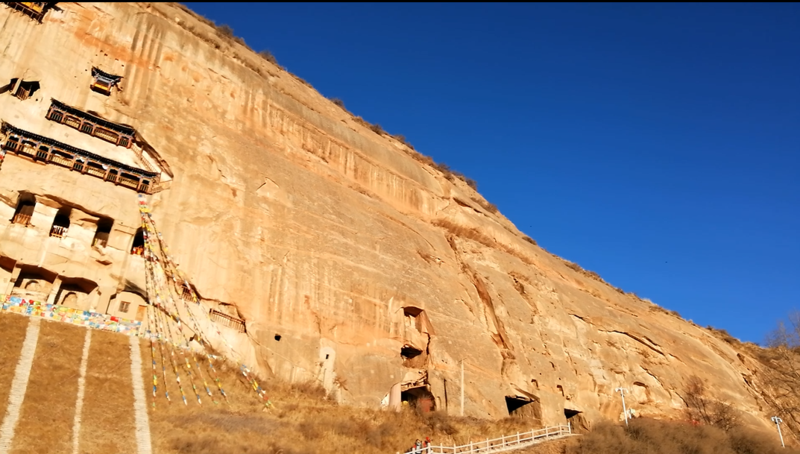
(45, 423)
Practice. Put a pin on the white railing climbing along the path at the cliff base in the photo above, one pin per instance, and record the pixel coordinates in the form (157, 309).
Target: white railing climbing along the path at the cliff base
(504, 443)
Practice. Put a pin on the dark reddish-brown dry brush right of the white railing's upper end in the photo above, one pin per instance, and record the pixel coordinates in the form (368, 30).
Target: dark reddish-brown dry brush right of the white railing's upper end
(647, 436)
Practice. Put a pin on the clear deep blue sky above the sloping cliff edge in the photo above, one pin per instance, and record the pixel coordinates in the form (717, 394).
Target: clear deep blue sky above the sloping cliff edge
(656, 144)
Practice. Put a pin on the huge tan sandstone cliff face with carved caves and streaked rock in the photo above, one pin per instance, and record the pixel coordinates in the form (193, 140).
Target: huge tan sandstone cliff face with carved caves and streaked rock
(338, 248)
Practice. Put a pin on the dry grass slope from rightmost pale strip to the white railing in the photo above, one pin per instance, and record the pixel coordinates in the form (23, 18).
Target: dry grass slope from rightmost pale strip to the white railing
(301, 421)
